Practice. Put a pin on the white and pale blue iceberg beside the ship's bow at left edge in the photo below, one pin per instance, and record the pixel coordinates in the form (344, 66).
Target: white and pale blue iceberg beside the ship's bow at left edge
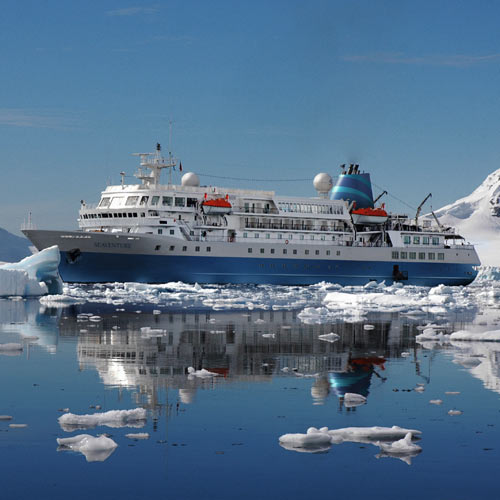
(33, 276)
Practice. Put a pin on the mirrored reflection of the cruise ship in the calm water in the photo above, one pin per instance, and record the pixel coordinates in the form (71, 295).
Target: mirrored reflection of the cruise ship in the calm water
(152, 353)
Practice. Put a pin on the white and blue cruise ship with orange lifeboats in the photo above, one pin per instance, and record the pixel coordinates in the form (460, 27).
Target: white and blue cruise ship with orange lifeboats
(156, 233)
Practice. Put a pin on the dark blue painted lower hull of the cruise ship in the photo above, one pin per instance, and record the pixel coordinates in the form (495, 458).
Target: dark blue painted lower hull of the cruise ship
(92, 267)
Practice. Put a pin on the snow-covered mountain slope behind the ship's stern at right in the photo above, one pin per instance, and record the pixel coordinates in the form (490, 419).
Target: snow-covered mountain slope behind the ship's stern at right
(477, 218)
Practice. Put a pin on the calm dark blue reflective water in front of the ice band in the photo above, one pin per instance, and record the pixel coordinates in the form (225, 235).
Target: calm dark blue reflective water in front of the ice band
(218, 438)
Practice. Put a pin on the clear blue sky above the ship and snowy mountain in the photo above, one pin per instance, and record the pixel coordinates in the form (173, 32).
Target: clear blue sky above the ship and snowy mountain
(263, 89)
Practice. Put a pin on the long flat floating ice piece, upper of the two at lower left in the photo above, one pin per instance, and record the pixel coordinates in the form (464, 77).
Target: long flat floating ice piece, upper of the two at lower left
(113, 418)
